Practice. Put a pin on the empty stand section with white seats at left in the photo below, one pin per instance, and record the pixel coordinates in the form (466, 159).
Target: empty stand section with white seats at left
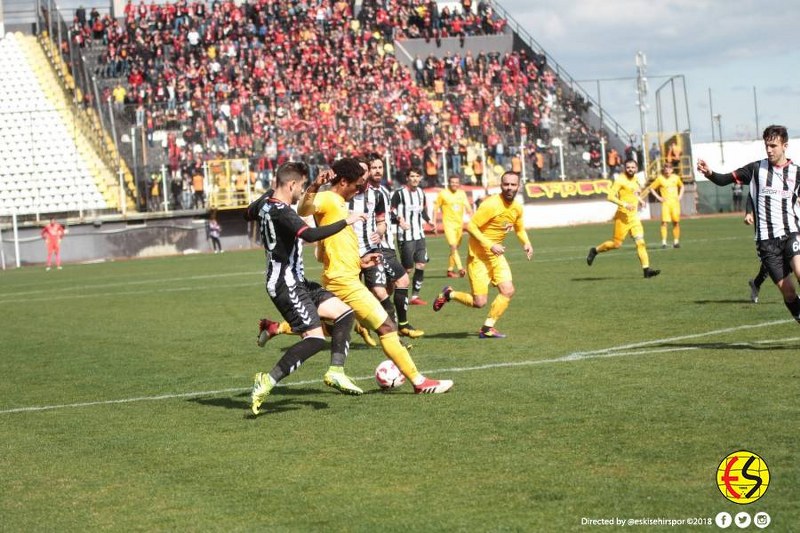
(47, 164)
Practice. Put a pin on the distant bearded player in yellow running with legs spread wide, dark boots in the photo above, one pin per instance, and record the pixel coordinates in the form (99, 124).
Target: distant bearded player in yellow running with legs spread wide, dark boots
(625, 193)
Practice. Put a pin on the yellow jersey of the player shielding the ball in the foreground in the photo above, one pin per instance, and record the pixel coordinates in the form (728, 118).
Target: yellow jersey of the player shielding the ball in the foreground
(340, 251)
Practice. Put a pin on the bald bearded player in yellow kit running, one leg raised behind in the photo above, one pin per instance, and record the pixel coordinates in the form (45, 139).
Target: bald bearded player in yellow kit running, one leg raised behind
(486, 263)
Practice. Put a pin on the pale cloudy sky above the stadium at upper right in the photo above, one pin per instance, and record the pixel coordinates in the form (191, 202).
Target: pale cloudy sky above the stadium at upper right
(717, 46)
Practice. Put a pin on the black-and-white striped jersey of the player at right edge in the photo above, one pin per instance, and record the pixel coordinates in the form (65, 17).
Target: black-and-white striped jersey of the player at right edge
(774, 191)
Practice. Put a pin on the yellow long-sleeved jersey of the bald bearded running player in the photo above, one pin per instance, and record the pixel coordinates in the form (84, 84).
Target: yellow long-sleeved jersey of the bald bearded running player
(491, 223)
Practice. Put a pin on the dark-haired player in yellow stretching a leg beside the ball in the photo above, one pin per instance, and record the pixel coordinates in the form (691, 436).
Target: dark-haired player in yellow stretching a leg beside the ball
(342, 265)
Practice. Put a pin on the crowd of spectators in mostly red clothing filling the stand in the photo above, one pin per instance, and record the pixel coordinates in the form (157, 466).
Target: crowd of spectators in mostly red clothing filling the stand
(272, 80)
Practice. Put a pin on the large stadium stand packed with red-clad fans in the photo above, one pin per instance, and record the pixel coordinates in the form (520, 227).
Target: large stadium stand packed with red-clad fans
(218, 93)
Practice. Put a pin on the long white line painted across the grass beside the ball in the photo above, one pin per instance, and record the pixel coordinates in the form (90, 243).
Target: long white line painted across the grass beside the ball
(614, 351)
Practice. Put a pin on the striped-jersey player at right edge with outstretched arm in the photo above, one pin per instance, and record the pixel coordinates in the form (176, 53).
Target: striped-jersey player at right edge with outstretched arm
(774, 188)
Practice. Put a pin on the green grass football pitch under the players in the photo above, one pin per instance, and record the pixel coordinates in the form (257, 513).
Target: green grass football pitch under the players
(124, 398)
